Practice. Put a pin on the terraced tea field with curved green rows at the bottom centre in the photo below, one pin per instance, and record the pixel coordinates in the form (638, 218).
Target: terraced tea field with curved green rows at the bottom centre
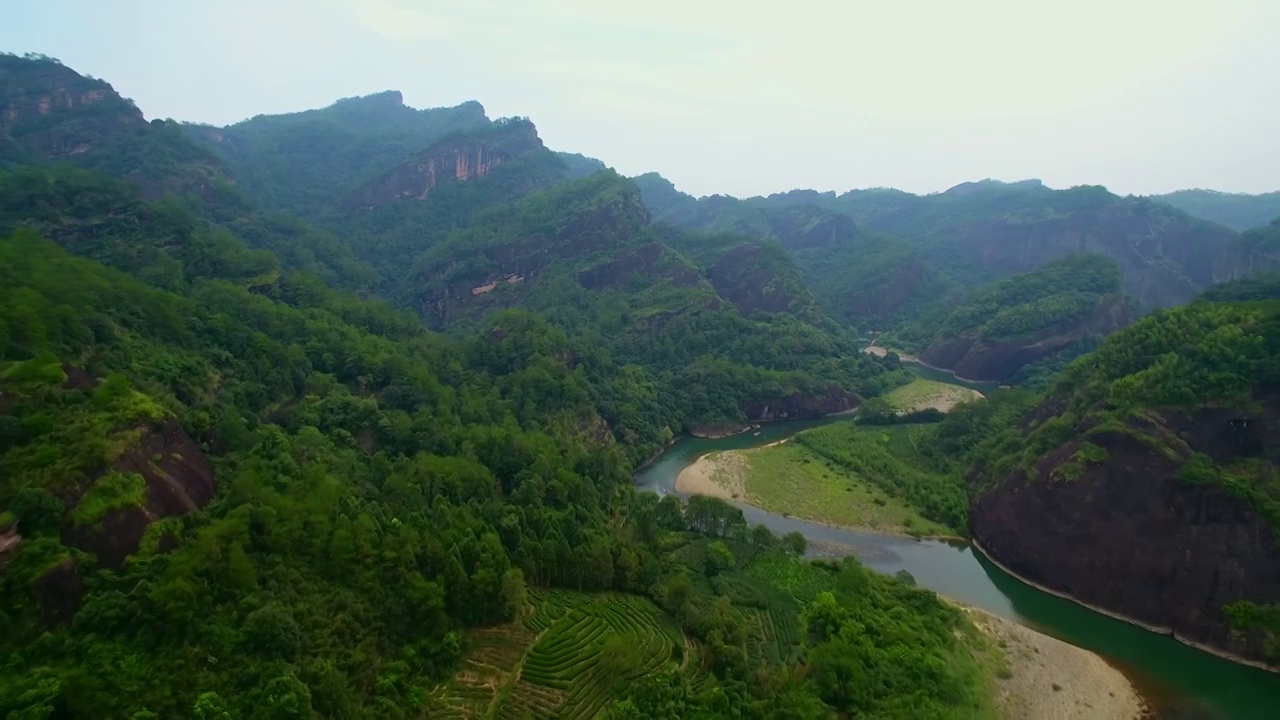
(568, 659)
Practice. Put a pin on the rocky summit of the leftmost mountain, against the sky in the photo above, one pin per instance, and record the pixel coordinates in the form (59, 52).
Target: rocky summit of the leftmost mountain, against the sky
(51, 111)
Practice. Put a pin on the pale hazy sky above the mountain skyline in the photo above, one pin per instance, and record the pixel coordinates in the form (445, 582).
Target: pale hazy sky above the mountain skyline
(740, 97)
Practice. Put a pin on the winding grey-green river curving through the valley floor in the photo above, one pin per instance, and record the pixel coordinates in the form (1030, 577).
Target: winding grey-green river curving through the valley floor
(1171, 675)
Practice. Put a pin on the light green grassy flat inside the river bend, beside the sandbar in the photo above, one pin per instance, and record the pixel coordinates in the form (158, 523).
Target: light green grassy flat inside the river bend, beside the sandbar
(794, 480)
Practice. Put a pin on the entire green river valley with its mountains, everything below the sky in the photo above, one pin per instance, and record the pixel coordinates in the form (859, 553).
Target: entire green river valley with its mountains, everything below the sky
(382, 412)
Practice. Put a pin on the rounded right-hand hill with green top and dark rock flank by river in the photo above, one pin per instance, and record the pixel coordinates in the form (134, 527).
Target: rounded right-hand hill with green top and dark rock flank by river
(1146, 481)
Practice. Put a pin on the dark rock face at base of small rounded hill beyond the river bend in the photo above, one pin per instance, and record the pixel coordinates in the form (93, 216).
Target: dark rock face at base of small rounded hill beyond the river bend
(977, 359)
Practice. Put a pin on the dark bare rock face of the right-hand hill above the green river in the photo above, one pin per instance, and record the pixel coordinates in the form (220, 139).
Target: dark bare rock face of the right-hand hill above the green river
(1126, 535)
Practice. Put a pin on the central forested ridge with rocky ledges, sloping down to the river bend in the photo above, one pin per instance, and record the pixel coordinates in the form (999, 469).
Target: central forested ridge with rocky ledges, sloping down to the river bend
(584, 256)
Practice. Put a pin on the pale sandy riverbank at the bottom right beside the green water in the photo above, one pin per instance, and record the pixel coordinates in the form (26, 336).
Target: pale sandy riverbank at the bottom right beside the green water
(1055, 681)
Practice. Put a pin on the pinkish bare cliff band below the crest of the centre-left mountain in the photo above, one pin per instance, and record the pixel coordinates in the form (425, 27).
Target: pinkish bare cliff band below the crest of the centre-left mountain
(461, 158)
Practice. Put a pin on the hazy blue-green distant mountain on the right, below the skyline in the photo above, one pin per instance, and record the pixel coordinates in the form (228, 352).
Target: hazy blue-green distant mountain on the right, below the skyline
(982, 231)
